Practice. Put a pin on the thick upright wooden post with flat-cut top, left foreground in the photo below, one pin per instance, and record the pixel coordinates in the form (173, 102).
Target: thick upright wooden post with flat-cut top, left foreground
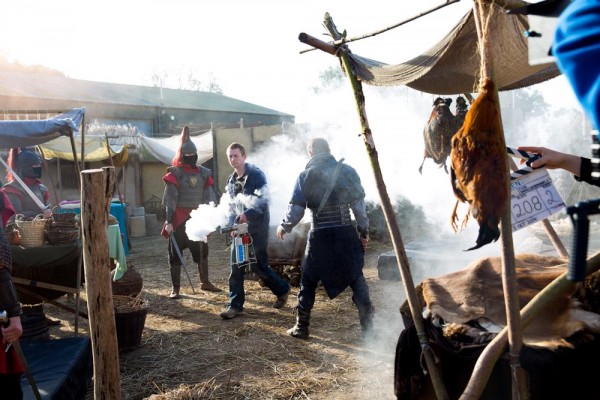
(96, 192)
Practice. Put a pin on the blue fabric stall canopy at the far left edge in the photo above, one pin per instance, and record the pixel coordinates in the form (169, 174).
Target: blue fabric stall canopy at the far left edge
(33, 132)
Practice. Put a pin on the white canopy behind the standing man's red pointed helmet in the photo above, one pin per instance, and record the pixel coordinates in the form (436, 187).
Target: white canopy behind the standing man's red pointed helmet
(164, 149)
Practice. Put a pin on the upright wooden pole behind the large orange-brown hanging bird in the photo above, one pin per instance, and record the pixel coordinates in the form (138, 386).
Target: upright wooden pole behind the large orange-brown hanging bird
(481, 15)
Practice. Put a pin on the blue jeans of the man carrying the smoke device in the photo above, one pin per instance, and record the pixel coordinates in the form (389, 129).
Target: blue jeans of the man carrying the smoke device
(269, 277)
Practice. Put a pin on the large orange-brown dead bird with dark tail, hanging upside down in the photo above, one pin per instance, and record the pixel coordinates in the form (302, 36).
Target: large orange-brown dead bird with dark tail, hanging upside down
(479, 169)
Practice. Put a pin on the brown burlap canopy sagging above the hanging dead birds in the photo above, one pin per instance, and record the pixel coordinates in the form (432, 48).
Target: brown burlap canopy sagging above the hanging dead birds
(452, 65)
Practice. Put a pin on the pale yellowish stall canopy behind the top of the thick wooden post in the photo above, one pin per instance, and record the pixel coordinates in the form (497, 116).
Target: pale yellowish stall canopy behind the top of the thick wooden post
(95, 148)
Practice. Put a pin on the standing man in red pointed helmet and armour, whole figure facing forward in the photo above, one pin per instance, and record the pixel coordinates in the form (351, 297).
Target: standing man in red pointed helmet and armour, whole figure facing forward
(187, 185)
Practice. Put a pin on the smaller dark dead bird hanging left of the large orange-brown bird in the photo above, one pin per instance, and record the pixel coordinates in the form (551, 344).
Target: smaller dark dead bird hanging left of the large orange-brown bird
(437, 133)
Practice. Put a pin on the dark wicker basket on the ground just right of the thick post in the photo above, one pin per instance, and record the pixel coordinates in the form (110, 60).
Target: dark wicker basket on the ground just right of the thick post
(130, 318)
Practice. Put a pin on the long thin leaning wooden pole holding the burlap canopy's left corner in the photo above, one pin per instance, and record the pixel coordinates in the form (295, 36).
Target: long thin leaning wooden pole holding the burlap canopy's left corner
(390, 217)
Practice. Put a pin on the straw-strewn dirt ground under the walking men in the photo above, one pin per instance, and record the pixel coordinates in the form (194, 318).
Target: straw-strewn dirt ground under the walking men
(188, 352)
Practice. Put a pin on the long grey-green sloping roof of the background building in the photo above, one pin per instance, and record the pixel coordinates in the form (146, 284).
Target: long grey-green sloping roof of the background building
(59, 88)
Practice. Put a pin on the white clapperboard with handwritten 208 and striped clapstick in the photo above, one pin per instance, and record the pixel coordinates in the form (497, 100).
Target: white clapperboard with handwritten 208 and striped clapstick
(533, 196)
